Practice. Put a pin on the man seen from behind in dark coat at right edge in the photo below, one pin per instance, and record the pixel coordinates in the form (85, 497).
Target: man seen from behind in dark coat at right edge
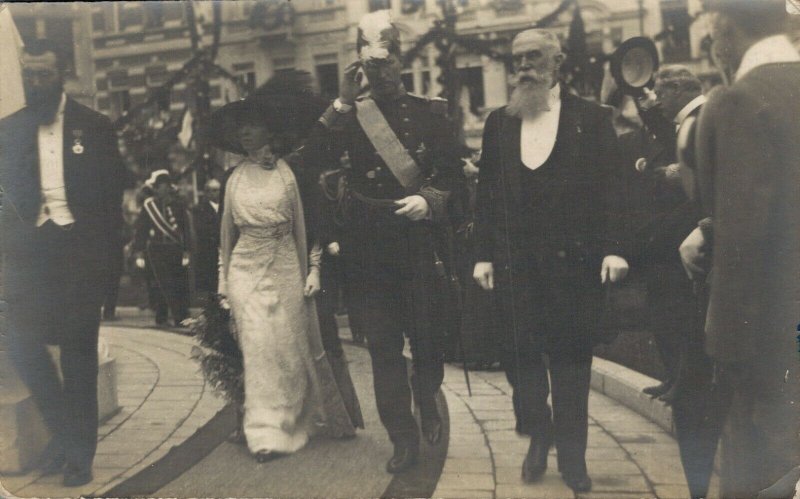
(748, 169)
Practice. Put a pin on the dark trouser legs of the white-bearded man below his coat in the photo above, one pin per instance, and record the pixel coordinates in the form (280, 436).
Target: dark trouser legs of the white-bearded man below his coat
(567, 425)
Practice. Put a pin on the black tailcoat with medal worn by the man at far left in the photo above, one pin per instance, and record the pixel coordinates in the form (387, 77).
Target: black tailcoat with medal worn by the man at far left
(94, 176)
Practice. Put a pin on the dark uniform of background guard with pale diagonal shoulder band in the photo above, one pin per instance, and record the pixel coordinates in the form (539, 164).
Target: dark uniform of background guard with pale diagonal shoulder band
(168, 277)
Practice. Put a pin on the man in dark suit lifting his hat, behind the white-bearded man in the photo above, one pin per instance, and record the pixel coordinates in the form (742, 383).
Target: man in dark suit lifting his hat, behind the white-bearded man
(670, 216)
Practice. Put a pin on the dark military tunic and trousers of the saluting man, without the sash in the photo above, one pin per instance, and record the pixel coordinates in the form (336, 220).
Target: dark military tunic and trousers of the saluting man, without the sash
(388, 259)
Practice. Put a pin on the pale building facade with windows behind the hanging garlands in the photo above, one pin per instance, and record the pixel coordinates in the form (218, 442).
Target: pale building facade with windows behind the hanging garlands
(123, 50)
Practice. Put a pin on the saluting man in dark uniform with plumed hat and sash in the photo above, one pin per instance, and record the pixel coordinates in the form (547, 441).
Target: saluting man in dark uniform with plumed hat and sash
(404, 161)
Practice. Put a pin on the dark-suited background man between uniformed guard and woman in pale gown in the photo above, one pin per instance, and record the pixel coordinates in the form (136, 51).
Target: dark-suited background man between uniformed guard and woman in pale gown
(206, 220)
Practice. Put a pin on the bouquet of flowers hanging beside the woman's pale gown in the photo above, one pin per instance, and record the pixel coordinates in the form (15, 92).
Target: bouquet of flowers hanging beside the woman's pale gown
(218, 354)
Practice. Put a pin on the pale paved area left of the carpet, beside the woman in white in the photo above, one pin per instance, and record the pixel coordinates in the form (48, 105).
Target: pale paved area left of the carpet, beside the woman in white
(163, 400)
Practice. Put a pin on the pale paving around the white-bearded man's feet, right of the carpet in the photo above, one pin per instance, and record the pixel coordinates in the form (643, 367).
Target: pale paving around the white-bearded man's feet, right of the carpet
(627, 456)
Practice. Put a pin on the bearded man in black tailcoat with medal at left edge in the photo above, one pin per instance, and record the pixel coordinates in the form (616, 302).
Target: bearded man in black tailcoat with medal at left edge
(62, 179)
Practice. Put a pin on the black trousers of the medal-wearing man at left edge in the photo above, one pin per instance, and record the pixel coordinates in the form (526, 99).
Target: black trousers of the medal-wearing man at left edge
(54, 290)
